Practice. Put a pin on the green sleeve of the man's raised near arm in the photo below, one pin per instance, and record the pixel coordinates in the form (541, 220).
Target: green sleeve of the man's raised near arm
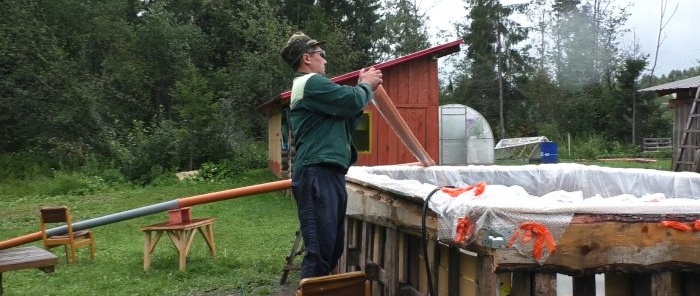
(321, 95)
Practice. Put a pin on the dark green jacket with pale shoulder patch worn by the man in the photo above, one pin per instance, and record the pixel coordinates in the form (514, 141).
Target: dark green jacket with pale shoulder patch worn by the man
(324, 115)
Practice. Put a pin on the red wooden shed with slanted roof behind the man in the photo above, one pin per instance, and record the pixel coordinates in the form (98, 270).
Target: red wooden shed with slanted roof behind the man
(412, 83)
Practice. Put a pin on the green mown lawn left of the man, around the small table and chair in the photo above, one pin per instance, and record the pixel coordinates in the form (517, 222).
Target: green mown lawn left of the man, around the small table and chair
(253, 236)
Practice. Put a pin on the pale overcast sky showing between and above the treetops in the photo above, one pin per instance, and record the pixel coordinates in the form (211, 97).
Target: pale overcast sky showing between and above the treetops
(680, 49)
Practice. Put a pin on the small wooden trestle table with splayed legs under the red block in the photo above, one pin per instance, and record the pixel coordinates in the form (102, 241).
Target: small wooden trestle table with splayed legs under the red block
(181, 235)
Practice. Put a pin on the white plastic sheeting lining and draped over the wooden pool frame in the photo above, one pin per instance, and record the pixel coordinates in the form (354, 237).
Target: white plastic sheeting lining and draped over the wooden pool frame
(546, 194)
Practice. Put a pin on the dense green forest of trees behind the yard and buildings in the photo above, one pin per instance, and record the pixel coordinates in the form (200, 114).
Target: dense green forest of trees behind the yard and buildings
(131, 90)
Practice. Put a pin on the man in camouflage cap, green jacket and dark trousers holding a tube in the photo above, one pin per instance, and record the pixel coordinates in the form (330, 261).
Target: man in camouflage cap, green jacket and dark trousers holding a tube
(323, 117)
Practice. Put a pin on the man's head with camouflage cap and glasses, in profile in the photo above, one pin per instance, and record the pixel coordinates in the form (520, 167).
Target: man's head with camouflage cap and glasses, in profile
(304, 54)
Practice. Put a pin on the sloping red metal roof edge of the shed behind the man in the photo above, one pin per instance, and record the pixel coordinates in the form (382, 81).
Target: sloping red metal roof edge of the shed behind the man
(435, 52)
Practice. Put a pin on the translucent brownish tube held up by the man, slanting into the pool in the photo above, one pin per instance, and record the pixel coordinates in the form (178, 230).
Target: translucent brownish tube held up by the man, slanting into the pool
(393, 118)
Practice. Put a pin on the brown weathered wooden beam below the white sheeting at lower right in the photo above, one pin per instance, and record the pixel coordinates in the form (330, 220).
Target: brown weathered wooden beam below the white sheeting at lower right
(612, 246)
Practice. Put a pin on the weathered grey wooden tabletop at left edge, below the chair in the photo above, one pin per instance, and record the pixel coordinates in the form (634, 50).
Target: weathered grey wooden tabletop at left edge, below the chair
(24, 258)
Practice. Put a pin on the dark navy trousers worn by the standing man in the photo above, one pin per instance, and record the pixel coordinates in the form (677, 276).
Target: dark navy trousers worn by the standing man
(321, 203)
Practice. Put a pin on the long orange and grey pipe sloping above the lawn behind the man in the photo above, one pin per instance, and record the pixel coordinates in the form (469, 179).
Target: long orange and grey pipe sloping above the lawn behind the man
(152, 209)
